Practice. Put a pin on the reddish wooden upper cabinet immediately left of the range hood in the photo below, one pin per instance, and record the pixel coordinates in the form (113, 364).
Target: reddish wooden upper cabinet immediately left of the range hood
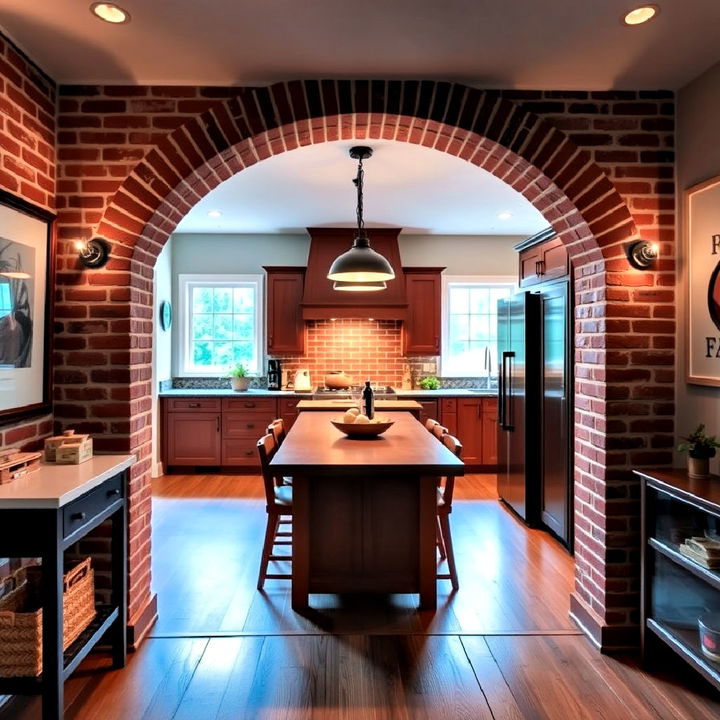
(285, 326)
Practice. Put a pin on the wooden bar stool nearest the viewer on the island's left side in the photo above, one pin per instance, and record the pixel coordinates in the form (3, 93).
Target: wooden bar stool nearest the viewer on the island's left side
(278, 504)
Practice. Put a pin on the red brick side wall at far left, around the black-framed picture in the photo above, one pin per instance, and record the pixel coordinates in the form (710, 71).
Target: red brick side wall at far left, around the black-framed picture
(27, 170)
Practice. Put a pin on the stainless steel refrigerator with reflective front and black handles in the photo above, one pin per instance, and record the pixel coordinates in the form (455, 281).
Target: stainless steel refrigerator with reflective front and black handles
(519, 408)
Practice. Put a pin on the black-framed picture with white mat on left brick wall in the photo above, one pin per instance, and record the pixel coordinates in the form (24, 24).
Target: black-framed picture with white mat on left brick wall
(27, 272)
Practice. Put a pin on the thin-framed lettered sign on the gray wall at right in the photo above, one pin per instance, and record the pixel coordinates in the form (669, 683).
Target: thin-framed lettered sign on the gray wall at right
(702, 280)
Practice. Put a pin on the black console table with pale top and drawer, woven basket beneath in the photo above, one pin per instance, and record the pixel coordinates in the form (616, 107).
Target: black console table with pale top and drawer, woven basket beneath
(43, 514)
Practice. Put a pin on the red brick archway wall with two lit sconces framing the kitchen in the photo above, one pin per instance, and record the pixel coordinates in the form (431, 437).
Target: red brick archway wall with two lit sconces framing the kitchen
(599, 167)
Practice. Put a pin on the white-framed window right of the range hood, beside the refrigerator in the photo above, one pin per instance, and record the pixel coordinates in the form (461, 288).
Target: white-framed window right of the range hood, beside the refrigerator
(469, 316)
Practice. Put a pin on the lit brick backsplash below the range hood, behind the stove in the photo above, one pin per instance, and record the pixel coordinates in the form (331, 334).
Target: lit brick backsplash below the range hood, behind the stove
(364, 349)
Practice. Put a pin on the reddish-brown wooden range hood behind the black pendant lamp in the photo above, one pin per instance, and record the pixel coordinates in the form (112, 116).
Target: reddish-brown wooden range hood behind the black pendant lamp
(321, 302)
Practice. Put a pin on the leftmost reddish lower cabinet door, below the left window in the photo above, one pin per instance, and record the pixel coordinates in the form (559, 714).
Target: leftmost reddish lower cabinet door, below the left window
(193, 438)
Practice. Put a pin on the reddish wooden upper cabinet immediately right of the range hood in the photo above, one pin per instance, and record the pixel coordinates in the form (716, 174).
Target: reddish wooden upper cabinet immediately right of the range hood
(421, 330)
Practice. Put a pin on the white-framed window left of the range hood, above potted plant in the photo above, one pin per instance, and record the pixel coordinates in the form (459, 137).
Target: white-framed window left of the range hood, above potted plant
(221, 323)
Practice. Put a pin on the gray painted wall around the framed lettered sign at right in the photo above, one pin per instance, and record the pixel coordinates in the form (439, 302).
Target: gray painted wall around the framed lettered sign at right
(698, 158)
